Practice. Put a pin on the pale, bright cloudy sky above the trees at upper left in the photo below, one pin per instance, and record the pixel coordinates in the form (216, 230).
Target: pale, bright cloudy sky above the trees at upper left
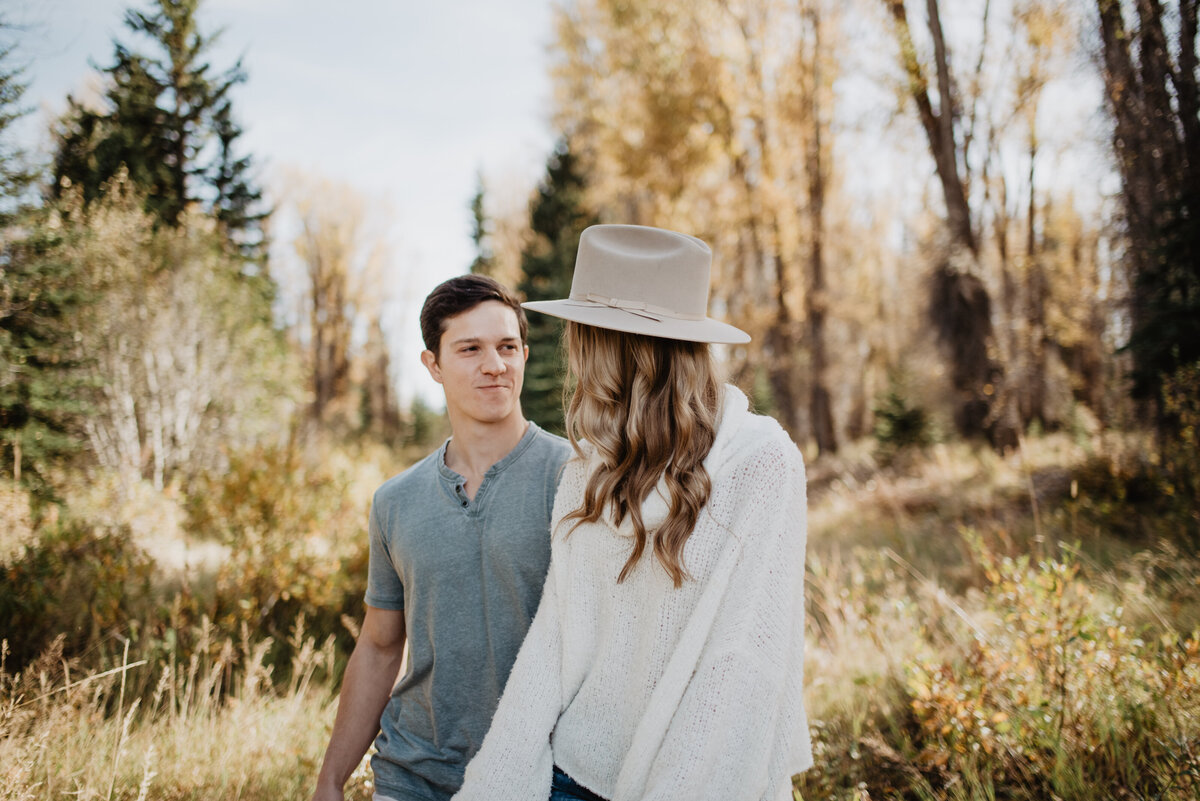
(405, 100)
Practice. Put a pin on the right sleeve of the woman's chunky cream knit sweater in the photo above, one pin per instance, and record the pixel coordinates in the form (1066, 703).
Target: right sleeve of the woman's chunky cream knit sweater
(737, 712)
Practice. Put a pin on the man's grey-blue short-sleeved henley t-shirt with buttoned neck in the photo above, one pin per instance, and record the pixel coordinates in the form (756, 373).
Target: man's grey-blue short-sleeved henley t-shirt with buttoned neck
(469, 576)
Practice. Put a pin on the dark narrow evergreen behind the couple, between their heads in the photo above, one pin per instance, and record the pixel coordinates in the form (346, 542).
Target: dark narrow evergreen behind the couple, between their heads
(557, 218)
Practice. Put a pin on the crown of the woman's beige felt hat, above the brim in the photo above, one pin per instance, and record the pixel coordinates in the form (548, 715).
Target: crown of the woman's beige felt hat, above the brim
(635, 267)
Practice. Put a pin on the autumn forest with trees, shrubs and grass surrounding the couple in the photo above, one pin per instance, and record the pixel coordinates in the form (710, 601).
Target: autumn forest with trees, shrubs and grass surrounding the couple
(994, 374)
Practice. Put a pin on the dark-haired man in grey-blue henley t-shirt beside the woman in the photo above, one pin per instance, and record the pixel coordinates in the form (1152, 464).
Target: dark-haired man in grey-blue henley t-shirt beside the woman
(460, 544)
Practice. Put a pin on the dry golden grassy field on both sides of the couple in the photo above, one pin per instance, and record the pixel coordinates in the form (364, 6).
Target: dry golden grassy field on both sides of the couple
(981, 628)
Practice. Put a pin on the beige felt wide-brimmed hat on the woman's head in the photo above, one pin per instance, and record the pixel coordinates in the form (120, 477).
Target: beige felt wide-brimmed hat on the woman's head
(643, 280)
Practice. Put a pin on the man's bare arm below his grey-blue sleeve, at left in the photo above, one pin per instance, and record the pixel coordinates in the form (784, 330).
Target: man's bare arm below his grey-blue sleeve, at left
(367, 686)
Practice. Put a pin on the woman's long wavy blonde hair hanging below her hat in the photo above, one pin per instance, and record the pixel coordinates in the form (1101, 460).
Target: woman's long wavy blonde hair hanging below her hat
(649, 406)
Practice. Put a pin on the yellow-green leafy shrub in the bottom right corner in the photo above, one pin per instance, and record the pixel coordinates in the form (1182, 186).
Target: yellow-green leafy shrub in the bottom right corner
(1063, 698)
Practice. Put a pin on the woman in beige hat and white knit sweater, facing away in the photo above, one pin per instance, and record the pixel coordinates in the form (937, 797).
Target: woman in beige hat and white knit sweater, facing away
(667, 658)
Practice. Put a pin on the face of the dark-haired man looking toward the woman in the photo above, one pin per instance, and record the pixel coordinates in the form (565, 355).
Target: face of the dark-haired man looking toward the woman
(481, 364)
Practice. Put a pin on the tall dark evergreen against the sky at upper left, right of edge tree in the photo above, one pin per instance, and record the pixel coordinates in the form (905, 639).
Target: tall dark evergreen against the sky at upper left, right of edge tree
(170, 122)
